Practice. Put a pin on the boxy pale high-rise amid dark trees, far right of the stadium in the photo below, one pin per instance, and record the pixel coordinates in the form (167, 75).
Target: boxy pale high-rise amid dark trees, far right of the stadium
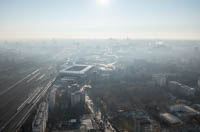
(160, 79)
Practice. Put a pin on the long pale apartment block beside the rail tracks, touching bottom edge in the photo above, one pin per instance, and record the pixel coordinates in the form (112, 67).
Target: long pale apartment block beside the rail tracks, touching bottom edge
(39, 123)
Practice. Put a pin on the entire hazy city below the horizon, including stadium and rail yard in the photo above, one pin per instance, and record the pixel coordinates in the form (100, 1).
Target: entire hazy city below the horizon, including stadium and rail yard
(115, 86)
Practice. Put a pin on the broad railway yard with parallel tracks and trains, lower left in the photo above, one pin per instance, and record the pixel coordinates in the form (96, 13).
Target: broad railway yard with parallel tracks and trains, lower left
(19, 96)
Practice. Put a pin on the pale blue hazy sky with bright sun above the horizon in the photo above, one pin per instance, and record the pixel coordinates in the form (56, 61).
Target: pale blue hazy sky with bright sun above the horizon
(168, 19)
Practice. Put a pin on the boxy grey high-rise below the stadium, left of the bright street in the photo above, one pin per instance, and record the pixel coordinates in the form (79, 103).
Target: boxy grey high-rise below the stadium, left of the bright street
(77, 97)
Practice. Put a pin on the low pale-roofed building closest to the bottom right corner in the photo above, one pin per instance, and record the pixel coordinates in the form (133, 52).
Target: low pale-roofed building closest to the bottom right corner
(170, 119)
